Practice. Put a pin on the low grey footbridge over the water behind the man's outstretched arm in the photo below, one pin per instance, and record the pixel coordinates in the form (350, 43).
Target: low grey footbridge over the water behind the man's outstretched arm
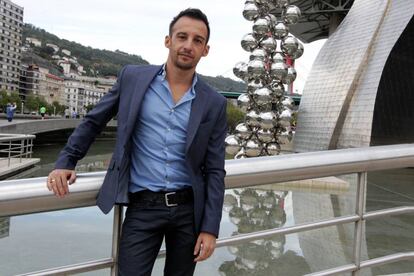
(42, 126)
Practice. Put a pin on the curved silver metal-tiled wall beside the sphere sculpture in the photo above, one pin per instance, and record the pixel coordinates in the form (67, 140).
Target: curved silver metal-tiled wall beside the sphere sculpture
(338, 100)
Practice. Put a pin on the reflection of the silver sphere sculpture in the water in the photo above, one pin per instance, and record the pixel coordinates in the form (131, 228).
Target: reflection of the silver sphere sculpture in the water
(255, 210)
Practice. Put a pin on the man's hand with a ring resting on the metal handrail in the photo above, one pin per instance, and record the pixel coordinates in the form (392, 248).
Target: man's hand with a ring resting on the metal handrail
(58, 180)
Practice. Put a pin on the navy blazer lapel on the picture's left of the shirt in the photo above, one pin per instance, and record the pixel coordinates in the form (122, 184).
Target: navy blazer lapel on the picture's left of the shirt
(143, 80)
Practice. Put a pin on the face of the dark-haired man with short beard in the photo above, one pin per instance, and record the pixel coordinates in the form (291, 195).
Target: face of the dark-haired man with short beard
(187, 43)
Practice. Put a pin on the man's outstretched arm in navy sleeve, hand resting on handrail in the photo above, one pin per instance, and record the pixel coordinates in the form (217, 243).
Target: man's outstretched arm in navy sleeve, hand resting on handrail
(81, 139)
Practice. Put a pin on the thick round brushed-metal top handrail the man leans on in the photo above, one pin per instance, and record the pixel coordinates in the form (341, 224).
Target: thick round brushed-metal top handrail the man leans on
(31, 195)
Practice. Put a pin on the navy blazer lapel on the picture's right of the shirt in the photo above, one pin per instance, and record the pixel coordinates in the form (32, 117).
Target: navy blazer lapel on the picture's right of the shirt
(197, 110)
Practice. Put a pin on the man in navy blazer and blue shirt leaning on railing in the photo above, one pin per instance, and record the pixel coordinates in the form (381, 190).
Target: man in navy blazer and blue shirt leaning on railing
(168, 162)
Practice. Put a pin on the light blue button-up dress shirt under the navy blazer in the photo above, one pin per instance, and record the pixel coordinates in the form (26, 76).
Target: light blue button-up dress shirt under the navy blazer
(159, 139)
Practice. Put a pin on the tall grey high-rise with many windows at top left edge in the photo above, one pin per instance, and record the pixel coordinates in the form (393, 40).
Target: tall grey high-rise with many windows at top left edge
(11, 24)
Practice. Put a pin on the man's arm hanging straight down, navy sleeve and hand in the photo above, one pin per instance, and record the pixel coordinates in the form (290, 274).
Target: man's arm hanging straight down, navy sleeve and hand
(215, 173)
